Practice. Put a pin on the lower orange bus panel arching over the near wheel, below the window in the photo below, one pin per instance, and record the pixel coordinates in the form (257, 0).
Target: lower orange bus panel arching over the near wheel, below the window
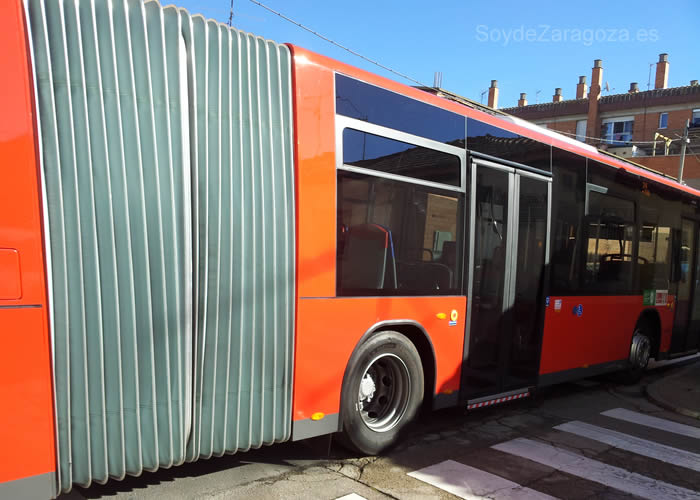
(329, 330)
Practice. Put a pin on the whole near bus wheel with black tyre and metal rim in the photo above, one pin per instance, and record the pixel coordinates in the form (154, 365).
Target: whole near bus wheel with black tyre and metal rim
(382, 391)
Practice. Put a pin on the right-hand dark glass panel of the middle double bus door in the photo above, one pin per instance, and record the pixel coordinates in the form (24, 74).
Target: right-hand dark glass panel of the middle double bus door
(532, 239)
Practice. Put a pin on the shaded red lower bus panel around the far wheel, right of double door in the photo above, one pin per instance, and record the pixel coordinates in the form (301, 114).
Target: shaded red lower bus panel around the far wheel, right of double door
(580, 332)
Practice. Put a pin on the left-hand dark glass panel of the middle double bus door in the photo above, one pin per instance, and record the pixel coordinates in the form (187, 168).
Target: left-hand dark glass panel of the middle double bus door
(483, 364)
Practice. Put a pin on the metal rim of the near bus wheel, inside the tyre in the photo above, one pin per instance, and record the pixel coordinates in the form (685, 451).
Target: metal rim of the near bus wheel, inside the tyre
(384, 392)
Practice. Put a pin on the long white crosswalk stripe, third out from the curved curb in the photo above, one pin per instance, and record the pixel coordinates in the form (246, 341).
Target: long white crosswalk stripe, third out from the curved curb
(593, 470)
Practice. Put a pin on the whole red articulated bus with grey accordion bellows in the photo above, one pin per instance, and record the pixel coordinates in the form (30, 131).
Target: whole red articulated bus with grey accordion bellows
(210, 242)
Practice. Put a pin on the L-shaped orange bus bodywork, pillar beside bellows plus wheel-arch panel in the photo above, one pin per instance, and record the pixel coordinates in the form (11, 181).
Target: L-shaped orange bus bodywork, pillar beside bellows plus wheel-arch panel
(327, 328)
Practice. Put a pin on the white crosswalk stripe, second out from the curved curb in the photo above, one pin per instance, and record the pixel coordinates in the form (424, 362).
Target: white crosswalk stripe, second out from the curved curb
(633, 444)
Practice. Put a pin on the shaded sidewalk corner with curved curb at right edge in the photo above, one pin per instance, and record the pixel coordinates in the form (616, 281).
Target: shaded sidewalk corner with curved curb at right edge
(679, 392)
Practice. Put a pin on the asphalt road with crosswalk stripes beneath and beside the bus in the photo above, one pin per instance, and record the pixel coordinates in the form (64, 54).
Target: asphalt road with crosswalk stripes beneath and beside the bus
(594, 439)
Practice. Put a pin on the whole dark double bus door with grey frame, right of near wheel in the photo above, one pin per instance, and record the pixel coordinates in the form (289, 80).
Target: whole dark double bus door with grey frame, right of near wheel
(509, 250)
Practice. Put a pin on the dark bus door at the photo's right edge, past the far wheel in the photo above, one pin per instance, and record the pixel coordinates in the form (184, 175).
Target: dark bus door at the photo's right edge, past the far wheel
(686, 326)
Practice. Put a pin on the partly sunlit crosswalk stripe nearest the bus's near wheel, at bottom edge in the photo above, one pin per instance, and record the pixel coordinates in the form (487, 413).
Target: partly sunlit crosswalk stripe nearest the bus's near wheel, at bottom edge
(467, 482)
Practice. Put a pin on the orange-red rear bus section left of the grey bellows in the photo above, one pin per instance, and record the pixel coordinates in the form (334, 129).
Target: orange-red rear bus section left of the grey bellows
(26, 420)
